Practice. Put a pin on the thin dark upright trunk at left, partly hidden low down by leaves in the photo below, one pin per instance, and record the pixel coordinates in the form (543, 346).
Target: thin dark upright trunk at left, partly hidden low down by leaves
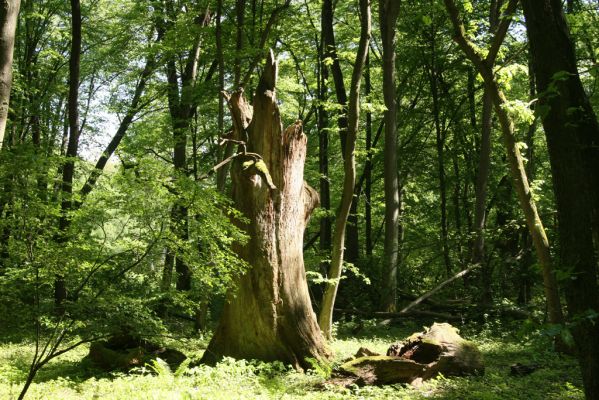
(60, 289)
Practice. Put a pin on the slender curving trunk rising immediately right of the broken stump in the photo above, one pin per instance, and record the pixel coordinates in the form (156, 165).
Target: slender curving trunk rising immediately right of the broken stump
(325, 319)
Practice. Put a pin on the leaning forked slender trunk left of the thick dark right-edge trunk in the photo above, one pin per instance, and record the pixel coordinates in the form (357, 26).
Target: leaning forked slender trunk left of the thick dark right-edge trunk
(519, 178)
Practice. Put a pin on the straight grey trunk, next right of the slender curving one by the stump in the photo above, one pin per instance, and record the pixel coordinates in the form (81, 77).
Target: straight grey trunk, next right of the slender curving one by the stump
(388, 14)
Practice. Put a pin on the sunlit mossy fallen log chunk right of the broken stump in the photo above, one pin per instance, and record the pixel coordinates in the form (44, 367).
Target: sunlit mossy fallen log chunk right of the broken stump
(423, 355)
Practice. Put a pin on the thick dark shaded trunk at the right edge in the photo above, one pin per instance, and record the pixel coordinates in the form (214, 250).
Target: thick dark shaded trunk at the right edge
(572, 134)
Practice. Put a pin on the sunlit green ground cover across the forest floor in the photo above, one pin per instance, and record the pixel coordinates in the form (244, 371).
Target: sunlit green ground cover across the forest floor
(68, 378)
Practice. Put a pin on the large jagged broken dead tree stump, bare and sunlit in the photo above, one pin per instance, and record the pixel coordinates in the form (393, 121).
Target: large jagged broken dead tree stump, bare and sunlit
(269, 316)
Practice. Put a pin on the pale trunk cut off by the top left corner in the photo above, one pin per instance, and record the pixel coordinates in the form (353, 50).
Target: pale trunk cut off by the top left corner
(9, 11)
